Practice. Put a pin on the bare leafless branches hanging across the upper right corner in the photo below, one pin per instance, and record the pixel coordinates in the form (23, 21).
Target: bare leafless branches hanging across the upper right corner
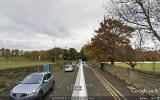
(144, 15)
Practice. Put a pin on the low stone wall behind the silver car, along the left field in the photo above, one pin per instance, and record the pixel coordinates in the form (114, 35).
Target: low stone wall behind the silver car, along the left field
(10, 77)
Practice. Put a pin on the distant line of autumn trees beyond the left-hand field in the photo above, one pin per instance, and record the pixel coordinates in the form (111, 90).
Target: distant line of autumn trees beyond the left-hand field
(55, 54)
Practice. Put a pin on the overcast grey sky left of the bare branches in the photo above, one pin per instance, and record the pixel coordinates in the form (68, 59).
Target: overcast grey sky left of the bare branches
(44, 24)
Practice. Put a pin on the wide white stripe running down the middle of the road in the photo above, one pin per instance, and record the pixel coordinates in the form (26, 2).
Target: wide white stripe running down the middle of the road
(79, 92)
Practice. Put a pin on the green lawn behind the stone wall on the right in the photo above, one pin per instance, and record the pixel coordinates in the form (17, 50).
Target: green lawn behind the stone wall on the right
(142, 66)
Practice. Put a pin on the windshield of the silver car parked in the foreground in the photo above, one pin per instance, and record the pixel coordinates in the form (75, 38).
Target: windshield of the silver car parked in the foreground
(32, 79)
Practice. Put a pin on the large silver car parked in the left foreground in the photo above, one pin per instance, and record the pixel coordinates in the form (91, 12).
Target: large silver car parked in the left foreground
(33, 86)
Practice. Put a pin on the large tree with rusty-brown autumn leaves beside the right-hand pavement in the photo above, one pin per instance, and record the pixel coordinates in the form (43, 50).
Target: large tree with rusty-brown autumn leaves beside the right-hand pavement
(111, 34)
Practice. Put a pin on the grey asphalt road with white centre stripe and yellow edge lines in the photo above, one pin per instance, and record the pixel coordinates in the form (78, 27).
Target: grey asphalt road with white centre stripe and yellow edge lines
(93, 85)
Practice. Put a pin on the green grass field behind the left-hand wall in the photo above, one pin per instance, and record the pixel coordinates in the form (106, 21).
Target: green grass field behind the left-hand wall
(21, 64)
